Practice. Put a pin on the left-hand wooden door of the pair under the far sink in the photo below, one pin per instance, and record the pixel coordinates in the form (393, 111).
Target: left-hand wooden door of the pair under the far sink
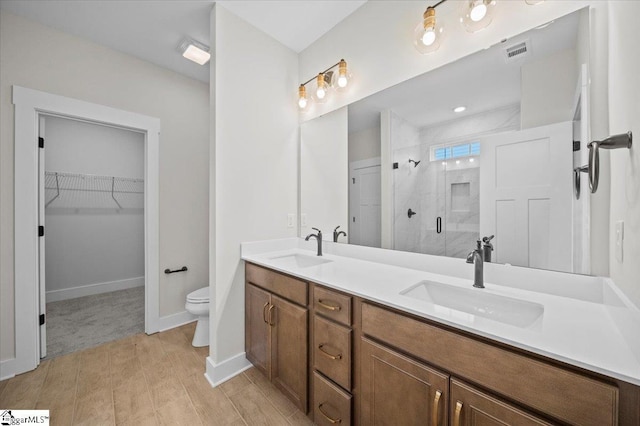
(257, 335)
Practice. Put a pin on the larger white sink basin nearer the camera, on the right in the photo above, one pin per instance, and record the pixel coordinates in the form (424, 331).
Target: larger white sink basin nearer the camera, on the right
(475, 301)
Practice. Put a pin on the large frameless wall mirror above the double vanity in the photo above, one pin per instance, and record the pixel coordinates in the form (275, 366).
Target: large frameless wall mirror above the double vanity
(484, 146)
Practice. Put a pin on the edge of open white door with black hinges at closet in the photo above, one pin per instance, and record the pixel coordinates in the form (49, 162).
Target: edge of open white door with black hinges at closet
(41, 241)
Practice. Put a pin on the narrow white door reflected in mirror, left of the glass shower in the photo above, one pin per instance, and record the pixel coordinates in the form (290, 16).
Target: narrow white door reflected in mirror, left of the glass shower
(364, 222)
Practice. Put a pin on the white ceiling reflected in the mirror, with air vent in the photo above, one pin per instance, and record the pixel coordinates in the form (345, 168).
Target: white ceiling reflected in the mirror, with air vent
(481, 82)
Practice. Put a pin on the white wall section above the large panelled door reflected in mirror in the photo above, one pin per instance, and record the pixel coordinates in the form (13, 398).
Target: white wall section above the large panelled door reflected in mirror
(548, 88)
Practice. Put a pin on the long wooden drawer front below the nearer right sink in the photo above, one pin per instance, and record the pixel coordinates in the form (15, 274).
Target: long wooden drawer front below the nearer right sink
(560, 393)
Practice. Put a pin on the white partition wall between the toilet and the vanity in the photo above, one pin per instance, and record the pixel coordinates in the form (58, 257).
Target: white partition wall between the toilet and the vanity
(254, 158)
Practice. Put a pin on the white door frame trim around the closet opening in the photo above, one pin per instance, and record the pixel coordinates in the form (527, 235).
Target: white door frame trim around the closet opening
(29, 105)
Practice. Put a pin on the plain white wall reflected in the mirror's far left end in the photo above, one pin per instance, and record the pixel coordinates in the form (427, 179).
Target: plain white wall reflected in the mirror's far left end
(324, 171)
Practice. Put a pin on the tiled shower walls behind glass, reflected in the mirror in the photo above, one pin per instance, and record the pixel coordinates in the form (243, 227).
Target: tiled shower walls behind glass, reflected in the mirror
(433, 189)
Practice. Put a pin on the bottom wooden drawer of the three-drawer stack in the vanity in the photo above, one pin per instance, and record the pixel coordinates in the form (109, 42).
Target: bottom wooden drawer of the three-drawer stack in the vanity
(332, 404)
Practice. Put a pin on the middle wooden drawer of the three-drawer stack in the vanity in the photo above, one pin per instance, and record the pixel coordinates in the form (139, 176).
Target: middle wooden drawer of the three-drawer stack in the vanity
(332, 351)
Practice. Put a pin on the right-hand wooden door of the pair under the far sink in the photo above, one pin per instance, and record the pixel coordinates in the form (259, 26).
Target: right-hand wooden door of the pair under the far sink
(289, 344)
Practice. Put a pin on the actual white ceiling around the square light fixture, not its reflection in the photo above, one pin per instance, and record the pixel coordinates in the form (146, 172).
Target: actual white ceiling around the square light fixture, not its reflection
(152, 30)
